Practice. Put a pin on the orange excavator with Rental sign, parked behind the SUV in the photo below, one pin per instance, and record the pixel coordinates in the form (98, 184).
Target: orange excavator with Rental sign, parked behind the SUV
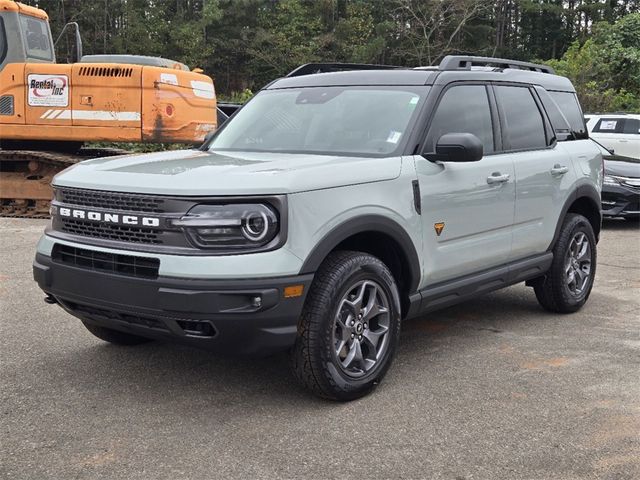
(48, 110)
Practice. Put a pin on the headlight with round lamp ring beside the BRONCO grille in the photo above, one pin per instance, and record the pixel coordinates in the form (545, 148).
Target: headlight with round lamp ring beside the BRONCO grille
(235, 226)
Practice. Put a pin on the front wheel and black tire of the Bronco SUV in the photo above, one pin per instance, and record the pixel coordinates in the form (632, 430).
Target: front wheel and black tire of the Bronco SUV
(340, 354)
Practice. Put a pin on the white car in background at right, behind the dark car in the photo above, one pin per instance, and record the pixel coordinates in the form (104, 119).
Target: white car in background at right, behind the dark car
(619, 132)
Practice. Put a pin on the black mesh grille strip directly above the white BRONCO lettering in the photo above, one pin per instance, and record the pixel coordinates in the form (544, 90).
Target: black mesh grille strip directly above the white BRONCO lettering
(110, 200)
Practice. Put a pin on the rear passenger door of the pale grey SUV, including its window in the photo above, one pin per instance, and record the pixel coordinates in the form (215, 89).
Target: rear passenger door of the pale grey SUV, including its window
(544, 173)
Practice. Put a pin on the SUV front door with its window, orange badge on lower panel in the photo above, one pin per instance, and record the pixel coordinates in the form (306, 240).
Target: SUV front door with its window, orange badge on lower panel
(467, 208)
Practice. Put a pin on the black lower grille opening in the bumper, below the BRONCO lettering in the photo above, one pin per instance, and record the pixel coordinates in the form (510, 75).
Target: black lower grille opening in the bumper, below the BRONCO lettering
(129, 265)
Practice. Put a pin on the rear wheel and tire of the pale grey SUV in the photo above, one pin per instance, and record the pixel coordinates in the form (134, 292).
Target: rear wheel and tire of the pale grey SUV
(563, 288)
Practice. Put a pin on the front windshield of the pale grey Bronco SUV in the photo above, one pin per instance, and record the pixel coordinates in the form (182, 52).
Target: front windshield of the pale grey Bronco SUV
(323, 120)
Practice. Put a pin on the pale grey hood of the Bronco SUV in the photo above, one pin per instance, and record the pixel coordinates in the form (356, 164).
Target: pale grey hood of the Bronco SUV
(194, 172)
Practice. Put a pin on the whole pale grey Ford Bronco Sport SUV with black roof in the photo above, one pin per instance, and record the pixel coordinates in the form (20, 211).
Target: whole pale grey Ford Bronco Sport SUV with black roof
(339, 201)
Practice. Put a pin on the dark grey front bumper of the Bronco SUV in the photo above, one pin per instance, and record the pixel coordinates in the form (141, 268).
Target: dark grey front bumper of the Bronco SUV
(219, 315)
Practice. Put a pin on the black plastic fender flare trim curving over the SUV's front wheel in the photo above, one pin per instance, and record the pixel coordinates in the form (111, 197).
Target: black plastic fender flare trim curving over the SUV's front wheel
(367, 223)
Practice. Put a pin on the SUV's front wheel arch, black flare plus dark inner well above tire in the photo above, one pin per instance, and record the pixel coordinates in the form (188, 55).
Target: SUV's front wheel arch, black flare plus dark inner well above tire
(378, 236)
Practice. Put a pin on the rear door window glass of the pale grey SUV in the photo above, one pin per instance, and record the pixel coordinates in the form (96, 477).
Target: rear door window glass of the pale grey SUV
(524, 126)
